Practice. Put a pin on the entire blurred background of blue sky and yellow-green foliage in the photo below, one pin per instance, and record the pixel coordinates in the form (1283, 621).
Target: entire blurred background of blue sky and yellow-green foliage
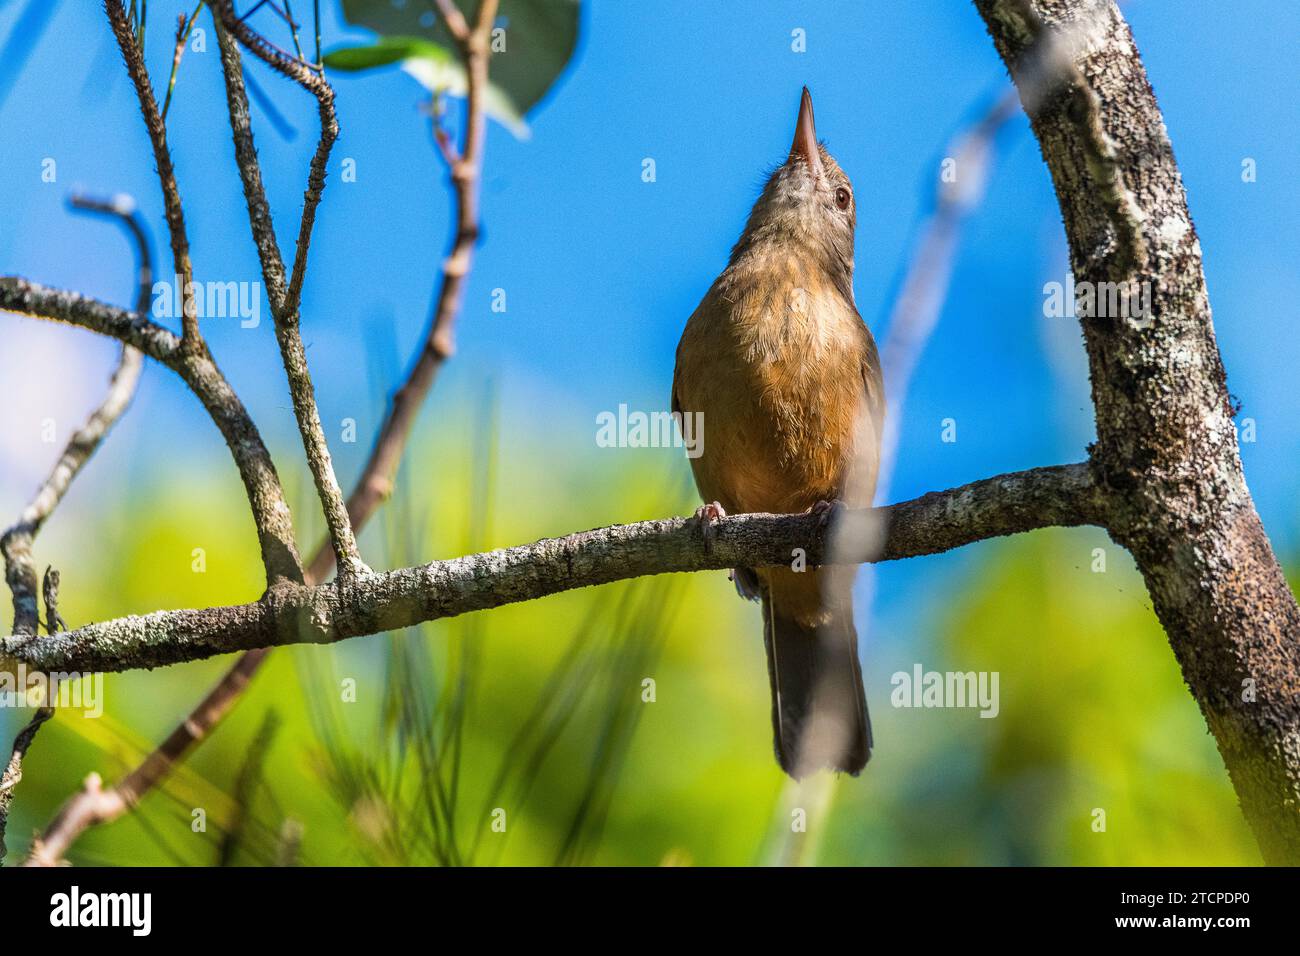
(402, 749)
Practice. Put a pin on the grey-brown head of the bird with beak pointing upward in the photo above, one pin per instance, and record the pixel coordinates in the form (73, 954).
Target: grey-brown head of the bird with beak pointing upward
(807, 206)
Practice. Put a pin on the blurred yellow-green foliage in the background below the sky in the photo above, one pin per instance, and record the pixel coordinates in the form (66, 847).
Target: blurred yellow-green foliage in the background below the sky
(540, 710)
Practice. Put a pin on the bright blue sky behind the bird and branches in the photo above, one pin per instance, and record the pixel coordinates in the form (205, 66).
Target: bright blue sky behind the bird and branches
(601, 270)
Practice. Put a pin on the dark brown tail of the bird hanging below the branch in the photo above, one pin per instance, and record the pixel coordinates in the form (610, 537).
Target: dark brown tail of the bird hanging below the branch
(820, 708)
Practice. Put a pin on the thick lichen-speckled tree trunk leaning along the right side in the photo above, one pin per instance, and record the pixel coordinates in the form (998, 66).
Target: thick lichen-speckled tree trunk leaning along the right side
(1167, 451)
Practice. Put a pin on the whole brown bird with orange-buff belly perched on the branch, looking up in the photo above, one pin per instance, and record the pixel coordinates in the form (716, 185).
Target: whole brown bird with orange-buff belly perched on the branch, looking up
(787, 378)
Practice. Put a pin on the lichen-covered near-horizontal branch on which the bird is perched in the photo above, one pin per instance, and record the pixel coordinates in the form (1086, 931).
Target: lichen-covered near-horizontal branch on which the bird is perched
(938, 522)
